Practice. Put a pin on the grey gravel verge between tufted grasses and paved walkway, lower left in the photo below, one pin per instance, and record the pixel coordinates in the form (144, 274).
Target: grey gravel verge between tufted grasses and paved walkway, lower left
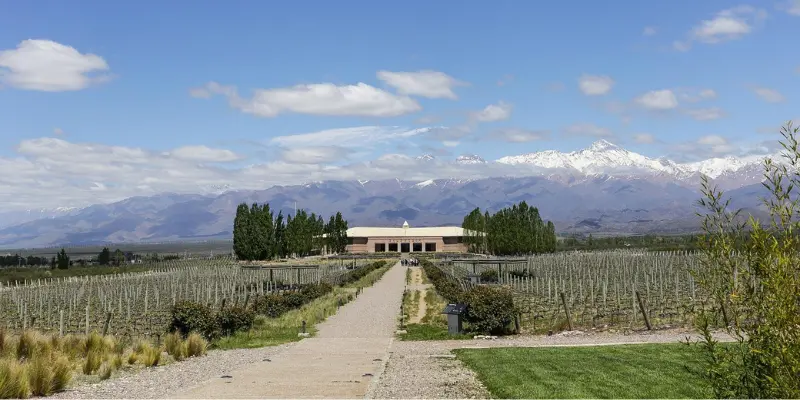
(161, 381)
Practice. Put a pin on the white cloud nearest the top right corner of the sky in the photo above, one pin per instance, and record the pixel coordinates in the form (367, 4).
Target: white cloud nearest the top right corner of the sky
(726, 25)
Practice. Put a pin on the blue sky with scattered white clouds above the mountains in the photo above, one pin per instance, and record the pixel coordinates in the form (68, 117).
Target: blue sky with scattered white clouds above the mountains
(101, 100)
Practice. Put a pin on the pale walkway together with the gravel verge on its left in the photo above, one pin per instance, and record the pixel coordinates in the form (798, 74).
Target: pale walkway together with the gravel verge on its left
(366, 325)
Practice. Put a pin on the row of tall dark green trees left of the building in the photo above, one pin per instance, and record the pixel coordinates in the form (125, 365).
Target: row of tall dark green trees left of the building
(260, 235)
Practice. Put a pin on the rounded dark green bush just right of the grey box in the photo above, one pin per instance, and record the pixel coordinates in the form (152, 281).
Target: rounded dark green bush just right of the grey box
(490, 309)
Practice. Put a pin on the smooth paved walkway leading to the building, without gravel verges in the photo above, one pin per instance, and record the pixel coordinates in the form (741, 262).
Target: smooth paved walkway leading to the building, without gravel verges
(348, 353)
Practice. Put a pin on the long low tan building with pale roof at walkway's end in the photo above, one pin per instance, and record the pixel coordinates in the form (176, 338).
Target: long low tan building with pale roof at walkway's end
(448, 239)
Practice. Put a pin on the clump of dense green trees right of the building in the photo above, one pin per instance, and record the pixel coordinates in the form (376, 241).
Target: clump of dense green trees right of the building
(514, 230)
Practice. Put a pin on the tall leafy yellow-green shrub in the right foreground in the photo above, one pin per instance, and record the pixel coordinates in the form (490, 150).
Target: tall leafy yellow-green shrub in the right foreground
(751, 273)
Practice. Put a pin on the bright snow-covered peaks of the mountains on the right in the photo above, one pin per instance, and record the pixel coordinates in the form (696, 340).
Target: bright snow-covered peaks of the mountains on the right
(606, 158)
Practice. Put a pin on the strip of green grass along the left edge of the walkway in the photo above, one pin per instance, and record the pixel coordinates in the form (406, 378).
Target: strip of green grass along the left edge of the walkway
(285, 329)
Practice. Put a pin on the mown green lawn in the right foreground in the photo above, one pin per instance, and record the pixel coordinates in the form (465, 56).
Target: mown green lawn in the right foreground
(622, 371)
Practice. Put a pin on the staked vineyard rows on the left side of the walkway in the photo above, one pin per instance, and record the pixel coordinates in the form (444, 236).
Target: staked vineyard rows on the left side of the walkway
(138, 304)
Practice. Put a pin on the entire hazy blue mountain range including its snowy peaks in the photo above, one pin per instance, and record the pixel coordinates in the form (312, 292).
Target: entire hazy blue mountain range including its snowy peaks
(601, 189)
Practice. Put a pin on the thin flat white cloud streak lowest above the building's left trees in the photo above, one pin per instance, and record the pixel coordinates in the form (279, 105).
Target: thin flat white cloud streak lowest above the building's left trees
(362, 136)
